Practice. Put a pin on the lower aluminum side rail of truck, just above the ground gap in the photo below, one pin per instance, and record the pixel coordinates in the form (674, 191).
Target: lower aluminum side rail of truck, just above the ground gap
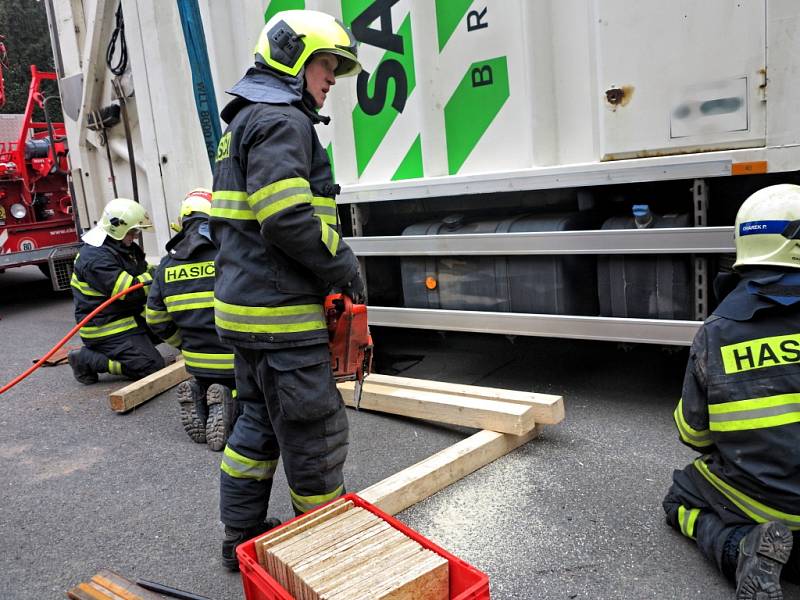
(650, 331)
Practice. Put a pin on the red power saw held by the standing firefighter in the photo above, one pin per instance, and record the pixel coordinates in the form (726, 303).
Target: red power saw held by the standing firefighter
(350, 342)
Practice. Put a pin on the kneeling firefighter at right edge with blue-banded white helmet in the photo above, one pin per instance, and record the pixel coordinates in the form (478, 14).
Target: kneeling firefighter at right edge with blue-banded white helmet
(740, 407)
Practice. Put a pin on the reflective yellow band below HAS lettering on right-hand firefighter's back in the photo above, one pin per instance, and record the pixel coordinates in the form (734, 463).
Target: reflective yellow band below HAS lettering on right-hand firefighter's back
(757, 413)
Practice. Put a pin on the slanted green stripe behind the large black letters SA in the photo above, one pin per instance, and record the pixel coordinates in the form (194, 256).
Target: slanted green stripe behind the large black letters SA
(370, 130)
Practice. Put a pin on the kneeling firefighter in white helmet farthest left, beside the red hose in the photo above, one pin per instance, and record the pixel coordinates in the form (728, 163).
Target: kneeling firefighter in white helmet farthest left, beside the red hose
(116, 340)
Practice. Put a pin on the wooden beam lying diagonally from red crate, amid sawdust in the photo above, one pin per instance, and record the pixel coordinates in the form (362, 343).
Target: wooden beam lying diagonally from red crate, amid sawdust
(417, 482)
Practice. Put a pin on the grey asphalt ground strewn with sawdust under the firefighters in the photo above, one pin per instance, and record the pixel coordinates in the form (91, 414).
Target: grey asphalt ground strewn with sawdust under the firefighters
(574, 514)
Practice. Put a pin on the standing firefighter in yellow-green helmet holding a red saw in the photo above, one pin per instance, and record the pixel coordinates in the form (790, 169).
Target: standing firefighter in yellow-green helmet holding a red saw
(274, 220)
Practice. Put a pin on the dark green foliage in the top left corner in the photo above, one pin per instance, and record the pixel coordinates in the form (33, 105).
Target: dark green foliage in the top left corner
(23, 23)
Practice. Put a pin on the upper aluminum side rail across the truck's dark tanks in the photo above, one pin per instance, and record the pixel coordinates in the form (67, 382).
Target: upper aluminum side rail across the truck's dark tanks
(679, 240)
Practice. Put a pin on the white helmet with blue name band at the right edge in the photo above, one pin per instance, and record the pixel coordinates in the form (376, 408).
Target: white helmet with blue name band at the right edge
(767, 228)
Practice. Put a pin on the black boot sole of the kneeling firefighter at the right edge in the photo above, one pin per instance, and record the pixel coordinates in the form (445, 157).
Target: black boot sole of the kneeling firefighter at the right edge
(762, 554)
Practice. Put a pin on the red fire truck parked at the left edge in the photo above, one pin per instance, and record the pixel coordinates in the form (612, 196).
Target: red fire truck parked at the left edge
(37, 222)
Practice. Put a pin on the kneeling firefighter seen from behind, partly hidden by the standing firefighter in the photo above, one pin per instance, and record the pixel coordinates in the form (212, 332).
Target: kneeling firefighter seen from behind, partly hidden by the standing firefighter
(180, 310)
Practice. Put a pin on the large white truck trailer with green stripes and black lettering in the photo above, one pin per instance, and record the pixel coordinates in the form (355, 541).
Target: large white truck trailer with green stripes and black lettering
(559, 168)
